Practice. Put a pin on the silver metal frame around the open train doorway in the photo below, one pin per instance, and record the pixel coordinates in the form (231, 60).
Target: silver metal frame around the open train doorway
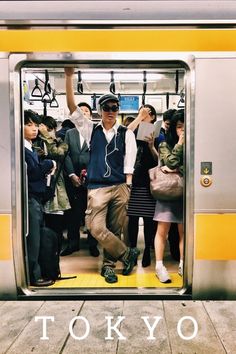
(18, 61)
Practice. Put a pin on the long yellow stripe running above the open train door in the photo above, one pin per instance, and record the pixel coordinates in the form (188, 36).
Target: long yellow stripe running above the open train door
(118, 40)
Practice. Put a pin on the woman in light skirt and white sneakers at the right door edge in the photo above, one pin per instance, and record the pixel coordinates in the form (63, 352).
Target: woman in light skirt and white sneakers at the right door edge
(166, 212)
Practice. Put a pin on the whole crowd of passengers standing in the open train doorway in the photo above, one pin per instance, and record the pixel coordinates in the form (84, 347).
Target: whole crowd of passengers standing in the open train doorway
(103, 182)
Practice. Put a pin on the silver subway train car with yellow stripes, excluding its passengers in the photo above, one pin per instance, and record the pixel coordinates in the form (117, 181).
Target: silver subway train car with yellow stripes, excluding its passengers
(179, 54)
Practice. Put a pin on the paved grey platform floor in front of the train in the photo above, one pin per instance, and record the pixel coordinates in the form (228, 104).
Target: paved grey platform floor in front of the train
(20, 333)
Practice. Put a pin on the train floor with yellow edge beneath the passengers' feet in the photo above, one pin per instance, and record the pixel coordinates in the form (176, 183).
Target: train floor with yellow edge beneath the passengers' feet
(87, 270)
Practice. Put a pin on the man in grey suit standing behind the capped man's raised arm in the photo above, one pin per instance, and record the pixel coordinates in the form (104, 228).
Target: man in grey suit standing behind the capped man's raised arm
(76, 161)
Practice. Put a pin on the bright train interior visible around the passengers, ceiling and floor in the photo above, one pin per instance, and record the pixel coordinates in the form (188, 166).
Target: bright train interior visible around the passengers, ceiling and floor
(164, 87)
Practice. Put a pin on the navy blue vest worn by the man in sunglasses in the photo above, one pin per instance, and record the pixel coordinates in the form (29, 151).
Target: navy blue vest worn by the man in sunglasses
(106, 164)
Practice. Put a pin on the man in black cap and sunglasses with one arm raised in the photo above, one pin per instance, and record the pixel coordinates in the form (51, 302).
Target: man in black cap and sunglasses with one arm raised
(112, 157)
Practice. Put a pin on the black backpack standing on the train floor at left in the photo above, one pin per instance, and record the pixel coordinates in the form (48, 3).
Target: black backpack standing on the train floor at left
(49, 255)
